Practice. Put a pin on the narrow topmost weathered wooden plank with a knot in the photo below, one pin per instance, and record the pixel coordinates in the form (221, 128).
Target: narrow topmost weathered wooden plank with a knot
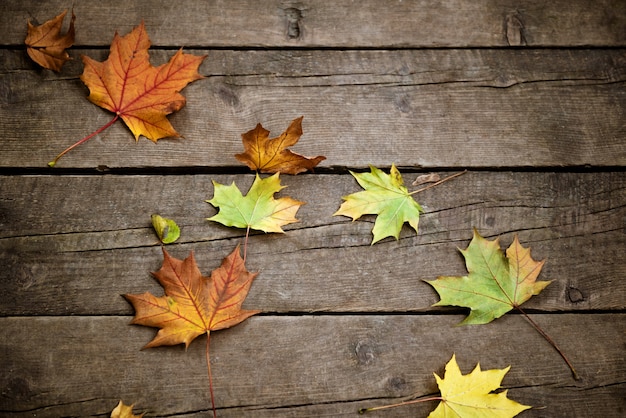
(327, 23)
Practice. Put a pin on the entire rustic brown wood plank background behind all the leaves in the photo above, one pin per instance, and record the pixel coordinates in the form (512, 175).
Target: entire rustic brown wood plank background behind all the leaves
(528, 96)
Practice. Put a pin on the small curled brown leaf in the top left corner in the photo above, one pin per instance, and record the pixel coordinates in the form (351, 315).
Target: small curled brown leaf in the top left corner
(46, 46)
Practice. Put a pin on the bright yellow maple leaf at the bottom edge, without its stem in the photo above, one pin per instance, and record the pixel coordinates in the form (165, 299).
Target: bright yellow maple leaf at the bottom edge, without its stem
(471, 395)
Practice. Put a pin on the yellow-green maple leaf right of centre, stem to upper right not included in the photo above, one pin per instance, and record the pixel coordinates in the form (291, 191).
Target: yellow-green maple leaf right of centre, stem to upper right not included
(385, 196)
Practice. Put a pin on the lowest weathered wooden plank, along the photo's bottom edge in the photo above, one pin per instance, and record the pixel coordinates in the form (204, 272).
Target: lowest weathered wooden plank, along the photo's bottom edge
(304, 366)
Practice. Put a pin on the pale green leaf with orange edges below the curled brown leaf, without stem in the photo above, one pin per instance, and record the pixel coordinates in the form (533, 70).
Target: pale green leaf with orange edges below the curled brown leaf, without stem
(258, 209)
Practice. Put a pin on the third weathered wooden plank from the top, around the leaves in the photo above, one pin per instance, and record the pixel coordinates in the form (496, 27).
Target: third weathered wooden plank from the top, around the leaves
(62, 255)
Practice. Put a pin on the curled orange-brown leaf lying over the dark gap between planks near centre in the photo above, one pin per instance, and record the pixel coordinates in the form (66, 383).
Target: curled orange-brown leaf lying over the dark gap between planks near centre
(271, 155)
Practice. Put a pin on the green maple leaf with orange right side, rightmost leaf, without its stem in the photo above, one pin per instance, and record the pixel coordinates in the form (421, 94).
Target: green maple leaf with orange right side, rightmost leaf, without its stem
(495, 284)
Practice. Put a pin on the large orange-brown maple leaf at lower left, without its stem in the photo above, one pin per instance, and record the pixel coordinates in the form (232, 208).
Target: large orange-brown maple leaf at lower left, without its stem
(193, 304)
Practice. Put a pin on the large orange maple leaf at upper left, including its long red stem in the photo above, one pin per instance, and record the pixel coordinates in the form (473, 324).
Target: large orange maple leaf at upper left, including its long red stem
(135, 91)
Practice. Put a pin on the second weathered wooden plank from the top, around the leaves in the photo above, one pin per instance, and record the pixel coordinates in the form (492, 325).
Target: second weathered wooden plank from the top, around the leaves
(478, 108)
